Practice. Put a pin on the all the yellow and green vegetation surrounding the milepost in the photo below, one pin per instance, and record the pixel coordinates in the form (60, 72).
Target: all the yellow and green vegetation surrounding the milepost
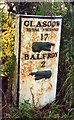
(63, 106)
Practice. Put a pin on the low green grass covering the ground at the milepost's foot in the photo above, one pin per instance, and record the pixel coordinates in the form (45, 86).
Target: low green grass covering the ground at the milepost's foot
(27, 111)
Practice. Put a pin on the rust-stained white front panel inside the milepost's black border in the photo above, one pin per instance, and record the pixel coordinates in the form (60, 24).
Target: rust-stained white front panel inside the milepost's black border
(38, 90)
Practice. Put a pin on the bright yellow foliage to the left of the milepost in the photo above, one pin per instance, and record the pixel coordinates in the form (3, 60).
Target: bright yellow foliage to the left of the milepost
(8, 34)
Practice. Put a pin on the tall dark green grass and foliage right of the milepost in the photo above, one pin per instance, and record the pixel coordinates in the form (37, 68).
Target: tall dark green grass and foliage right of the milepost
(67, 59)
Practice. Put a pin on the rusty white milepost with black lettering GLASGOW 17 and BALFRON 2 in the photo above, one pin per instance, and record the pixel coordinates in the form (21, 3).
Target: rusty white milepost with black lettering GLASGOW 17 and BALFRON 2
(37, 53)
